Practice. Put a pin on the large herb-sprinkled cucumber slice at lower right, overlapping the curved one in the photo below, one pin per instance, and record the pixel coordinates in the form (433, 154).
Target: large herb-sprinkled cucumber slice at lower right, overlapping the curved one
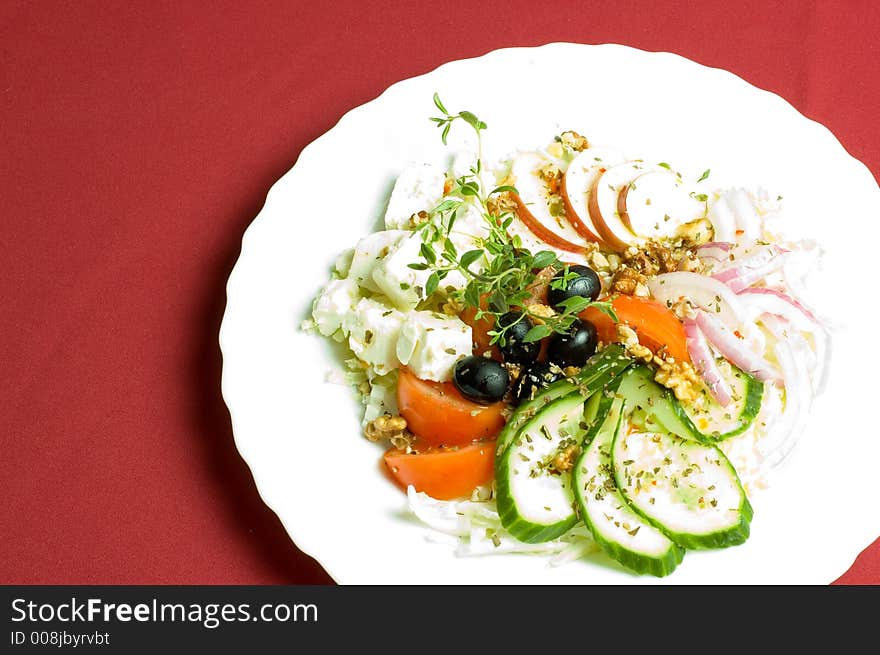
(687, 489)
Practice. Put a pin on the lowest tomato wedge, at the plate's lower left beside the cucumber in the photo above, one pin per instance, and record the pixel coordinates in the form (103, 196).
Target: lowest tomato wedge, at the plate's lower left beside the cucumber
(444, 473)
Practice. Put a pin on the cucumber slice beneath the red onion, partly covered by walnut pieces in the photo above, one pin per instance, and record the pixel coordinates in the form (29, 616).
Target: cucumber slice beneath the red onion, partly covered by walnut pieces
(716, 422)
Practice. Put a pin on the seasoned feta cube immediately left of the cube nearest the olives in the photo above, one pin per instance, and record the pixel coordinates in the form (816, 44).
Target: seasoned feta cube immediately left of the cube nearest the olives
(373, 330)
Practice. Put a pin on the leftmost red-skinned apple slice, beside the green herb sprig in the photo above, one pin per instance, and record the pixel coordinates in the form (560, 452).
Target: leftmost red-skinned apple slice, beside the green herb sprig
(533, 205)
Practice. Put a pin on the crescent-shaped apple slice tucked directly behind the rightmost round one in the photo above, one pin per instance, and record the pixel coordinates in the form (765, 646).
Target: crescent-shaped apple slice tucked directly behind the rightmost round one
(602, 203)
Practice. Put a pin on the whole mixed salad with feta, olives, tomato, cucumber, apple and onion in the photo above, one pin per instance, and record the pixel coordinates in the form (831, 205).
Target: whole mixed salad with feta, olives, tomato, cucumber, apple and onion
(569, 349)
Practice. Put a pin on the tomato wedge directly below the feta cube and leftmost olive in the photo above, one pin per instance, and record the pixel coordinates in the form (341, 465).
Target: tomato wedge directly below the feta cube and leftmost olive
(438, 414)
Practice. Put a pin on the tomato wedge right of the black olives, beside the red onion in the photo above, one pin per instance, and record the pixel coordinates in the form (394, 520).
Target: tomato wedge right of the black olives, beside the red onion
(655, 324)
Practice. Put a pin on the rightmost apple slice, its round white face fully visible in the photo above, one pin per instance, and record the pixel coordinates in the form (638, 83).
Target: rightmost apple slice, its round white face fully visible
(657, 203)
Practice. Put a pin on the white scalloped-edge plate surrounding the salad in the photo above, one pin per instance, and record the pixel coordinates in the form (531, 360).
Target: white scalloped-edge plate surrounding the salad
(301, 435)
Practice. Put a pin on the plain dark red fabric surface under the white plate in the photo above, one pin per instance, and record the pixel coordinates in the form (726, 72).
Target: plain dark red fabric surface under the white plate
(138, 142)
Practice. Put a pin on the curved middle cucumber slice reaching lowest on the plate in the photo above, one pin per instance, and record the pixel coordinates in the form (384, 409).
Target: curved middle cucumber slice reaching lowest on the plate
(616, 527)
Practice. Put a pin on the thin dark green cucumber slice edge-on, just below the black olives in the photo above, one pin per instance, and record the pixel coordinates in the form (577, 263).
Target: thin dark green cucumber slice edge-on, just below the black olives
(599, 371)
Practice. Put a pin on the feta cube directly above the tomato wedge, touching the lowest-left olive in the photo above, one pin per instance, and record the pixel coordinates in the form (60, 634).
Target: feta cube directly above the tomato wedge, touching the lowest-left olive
(429, 344)
